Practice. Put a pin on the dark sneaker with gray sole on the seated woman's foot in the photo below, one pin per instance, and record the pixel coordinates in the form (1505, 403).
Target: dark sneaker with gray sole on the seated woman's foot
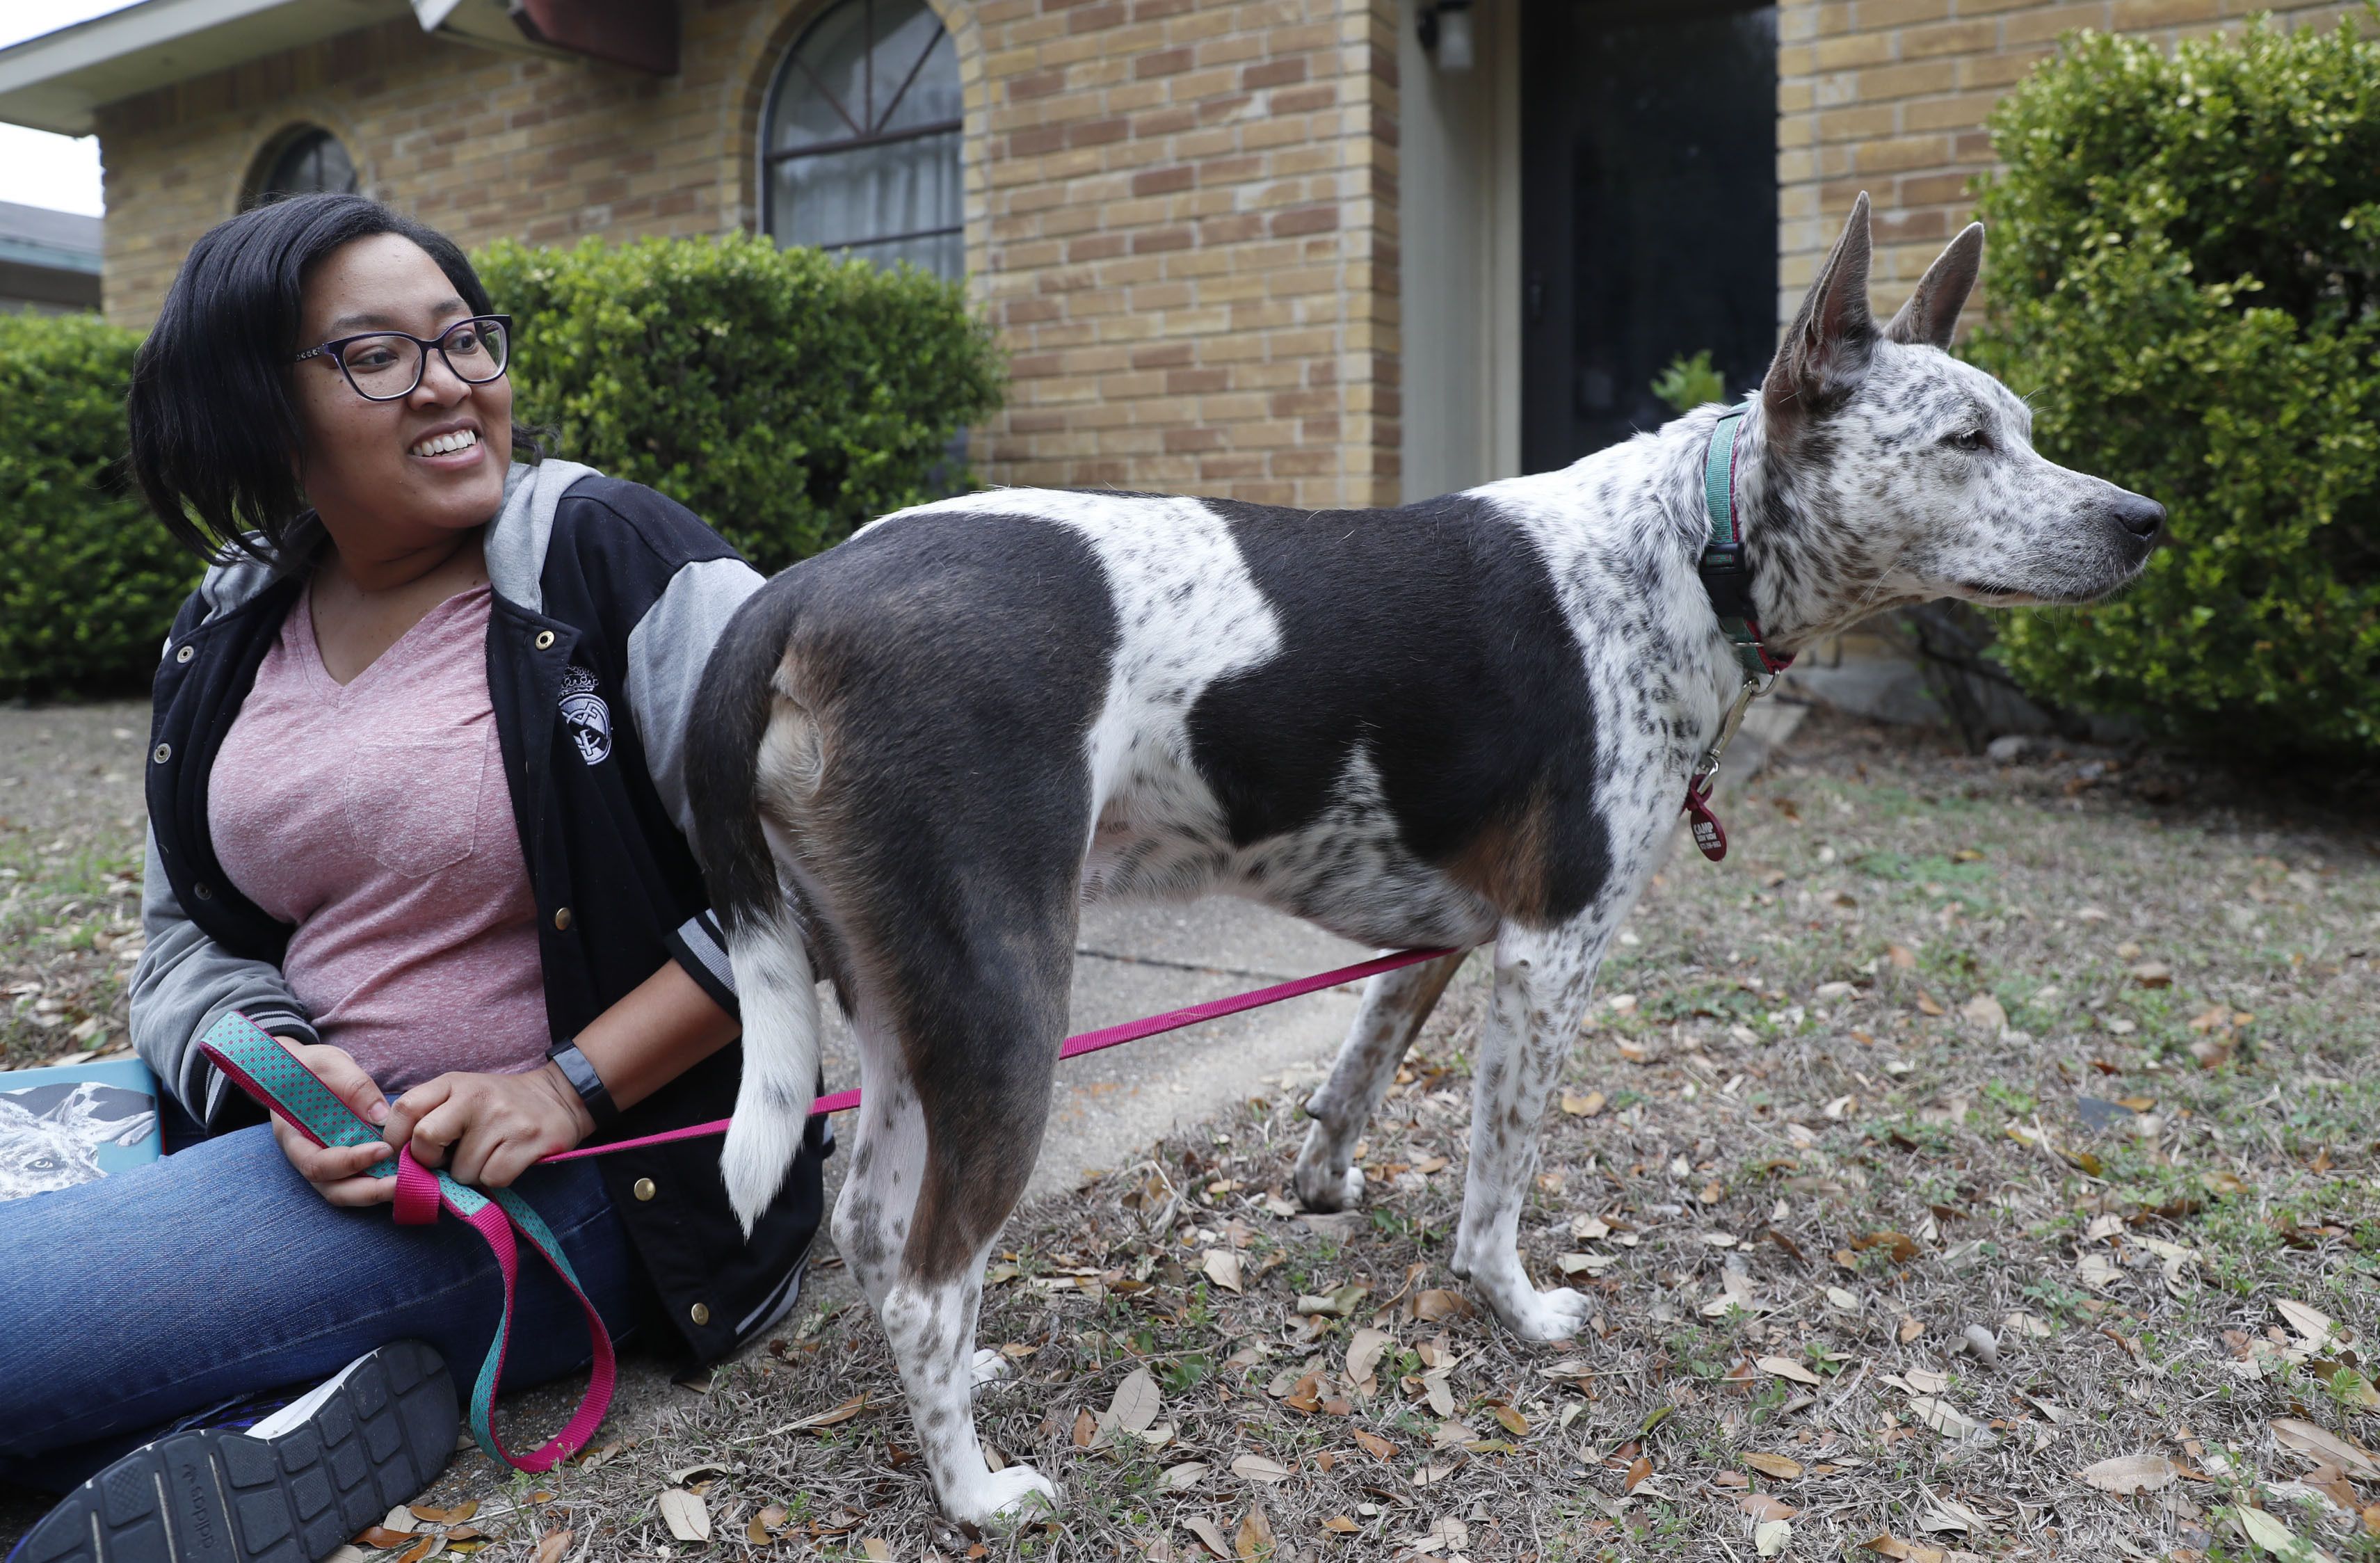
(287, 1490)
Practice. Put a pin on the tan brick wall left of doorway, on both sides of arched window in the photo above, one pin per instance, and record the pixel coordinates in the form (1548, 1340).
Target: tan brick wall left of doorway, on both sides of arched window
(1179, 213)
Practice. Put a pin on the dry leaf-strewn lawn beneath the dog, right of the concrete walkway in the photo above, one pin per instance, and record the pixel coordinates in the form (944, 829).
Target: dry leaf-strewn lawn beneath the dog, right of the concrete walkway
(1981, 1162)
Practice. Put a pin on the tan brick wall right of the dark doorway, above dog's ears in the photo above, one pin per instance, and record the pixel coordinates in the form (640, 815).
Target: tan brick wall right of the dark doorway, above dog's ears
(1891, 96)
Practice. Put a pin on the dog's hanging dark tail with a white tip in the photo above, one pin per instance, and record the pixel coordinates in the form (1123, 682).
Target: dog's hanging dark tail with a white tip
(737, 777)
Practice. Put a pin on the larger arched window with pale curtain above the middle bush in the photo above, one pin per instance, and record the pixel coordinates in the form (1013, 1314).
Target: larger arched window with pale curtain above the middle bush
(860, 149)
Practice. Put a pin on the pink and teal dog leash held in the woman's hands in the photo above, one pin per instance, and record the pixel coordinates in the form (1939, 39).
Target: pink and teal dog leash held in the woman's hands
(273, 1076)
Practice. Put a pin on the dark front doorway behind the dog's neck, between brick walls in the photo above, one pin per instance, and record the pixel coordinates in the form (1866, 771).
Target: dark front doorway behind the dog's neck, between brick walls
(1648, 211)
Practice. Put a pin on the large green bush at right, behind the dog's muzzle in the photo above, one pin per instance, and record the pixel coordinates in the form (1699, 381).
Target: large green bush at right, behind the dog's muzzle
(2186, 280)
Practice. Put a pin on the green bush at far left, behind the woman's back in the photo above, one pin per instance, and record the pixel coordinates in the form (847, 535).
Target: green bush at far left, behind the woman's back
(89, 582)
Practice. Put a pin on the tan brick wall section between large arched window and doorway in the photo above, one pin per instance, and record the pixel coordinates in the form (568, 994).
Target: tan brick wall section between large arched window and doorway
(1191, 244)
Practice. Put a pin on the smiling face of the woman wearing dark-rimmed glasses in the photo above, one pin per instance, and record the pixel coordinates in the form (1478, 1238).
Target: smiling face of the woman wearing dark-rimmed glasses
(365, 465)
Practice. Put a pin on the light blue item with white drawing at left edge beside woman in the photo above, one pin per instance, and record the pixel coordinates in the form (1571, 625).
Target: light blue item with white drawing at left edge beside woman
(75, 1122)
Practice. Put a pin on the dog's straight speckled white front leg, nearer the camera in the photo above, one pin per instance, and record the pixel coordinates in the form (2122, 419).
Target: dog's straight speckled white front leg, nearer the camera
(1541, 996)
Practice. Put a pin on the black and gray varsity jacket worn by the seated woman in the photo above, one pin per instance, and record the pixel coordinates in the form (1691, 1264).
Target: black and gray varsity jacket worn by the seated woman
(608, 601)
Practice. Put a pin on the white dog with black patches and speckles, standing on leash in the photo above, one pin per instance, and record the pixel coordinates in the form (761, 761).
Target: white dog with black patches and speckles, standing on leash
(1465, 722)
